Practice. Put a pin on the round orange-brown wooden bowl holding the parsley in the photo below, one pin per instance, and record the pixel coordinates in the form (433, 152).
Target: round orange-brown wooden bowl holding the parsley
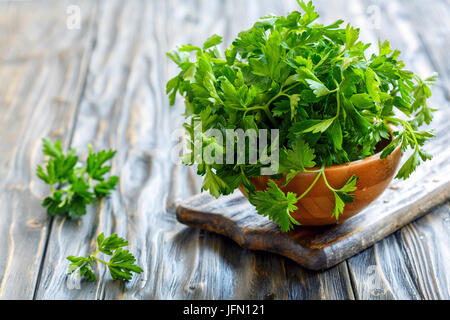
(316, 208)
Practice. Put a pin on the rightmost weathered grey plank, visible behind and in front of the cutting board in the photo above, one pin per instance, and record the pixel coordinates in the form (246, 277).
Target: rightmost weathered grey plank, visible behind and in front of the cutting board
(385, 270)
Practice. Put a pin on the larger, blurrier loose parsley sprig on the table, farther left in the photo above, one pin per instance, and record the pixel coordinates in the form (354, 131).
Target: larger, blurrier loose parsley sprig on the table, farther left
(72, 185)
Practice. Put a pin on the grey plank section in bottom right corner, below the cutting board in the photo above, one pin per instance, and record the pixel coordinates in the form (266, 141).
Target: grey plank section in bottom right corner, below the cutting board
(410, 264)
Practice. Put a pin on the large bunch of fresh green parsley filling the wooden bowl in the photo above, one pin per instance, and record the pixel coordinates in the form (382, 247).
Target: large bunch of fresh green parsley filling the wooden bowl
(314, 83)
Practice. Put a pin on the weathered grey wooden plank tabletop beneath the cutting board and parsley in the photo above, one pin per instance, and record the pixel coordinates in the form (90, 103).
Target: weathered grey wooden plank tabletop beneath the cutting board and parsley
(103, 82)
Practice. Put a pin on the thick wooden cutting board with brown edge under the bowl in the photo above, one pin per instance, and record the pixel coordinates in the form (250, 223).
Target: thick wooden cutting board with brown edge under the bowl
(315, 248)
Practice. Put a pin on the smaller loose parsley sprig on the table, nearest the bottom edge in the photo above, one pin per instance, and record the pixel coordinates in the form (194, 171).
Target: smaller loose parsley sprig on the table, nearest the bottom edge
(121, 264)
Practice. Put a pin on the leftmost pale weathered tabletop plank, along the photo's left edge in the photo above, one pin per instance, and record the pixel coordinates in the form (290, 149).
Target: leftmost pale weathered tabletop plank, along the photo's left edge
(42, 66)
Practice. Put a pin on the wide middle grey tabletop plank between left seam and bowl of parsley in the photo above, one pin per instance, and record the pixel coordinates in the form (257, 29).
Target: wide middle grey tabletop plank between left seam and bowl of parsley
(125, 108)
